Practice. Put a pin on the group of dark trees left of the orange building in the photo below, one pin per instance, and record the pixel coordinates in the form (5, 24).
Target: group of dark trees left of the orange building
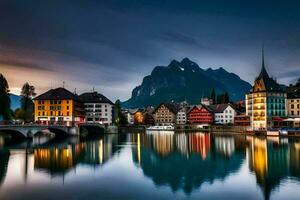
(25, 112)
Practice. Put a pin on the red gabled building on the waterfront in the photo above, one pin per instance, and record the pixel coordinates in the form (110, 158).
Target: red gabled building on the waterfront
(200, 115)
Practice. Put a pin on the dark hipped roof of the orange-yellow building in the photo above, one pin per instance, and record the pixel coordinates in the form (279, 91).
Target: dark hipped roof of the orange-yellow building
(57, 94)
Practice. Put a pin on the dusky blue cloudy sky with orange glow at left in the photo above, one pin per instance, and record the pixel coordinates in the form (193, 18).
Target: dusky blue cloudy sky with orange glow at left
(111, 45)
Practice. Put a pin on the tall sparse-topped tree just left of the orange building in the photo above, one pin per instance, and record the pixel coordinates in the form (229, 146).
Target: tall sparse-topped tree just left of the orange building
(27, 94)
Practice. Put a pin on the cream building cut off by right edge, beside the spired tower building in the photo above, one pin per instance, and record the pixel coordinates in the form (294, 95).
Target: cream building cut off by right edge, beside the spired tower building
(293, 100)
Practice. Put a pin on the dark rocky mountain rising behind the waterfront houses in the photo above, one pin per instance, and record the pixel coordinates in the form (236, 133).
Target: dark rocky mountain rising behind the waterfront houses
(185, 81)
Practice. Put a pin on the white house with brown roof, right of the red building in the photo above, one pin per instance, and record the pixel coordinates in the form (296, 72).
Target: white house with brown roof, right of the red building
(224, 113)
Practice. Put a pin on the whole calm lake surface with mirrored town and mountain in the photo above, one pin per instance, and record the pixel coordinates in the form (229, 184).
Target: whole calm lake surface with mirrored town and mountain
(140, 166)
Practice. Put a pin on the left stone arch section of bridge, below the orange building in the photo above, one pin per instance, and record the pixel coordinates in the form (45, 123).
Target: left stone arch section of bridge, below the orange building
(28, 131)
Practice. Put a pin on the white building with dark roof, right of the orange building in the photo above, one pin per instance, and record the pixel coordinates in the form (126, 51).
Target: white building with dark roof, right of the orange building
(98, 108)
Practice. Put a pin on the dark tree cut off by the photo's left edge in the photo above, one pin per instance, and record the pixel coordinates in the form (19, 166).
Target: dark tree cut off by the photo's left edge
(4, 99)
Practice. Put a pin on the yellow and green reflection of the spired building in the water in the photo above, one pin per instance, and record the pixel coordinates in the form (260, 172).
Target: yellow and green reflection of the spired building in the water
(273, 162)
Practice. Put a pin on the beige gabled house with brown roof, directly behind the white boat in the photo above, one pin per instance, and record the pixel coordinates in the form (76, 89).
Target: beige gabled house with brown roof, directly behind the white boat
(165, 114)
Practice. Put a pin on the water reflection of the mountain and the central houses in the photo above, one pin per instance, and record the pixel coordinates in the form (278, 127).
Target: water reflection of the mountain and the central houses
(185, 161)
